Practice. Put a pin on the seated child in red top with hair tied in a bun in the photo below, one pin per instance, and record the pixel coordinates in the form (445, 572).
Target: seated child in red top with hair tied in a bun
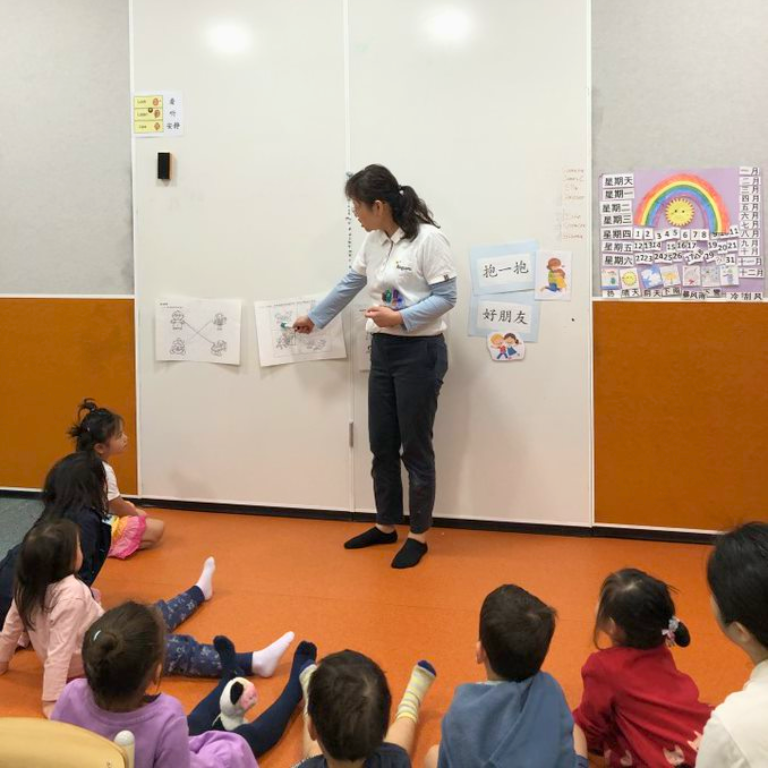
(637, 708)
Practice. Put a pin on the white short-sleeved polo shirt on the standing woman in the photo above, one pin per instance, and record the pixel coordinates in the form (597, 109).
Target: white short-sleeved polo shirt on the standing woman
(400, 272)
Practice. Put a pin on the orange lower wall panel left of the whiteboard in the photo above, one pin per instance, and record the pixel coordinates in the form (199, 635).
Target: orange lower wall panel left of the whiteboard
(55, 352)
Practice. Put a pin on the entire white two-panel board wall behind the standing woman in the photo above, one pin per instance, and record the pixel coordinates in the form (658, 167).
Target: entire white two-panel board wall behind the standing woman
(482, 128)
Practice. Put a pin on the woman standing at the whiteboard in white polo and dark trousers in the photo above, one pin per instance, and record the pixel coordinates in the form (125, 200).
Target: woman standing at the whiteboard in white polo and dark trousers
(406, 264)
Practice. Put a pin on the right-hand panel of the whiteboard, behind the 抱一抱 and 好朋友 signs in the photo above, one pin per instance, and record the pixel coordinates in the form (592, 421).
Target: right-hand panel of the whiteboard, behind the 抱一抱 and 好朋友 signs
(483, 130)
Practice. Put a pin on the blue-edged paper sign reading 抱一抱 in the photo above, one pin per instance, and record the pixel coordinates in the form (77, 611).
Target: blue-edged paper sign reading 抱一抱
(503, 268)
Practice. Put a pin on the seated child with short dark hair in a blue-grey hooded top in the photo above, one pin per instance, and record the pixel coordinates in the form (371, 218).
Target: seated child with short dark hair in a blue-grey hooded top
(518, 718)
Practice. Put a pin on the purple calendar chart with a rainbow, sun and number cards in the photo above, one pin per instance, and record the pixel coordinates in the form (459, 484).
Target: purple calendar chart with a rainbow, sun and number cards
(682, 234)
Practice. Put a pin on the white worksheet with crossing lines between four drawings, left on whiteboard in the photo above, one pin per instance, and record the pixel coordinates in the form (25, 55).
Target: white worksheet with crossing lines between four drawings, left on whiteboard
(198, 330)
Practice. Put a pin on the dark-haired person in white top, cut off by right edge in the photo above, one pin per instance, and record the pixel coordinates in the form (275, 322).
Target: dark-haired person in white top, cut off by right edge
(737, 573)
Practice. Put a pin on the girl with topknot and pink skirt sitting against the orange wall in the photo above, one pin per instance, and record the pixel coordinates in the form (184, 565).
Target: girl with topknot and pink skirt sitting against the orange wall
(101, 432)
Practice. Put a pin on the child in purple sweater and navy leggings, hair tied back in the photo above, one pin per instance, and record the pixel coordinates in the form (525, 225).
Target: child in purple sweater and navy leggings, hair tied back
(123, 659)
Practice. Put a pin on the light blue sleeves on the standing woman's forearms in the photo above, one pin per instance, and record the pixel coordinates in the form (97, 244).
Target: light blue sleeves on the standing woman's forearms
(442, 298)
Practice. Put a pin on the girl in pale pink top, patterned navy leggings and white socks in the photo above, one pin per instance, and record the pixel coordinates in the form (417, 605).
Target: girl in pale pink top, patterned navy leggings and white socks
(55, 608)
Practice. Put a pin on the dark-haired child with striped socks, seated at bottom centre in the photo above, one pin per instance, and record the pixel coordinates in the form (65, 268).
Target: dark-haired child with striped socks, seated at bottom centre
(347, 713)
